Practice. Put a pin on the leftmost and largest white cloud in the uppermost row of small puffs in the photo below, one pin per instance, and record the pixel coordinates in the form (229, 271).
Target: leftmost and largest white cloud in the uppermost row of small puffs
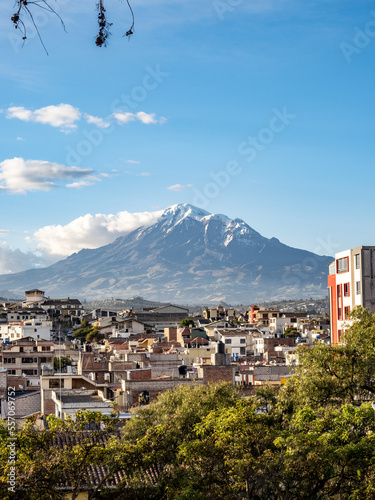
(62, 115)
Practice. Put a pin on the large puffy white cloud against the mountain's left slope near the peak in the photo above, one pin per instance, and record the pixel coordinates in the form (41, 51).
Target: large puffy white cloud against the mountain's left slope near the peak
(90, 231)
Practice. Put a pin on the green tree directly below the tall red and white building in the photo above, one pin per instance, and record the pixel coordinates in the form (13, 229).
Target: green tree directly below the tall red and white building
(336, 374)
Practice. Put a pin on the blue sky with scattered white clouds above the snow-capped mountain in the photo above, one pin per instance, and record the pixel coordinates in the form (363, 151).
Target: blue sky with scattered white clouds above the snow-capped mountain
(261, 110)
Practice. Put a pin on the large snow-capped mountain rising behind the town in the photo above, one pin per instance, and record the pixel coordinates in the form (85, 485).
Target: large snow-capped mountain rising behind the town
(187, 256)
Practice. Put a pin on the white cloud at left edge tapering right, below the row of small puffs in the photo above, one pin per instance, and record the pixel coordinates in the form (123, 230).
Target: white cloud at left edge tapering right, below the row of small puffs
(19, 176)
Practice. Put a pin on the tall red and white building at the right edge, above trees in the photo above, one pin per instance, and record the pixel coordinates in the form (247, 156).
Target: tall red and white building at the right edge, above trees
(351, 283)
